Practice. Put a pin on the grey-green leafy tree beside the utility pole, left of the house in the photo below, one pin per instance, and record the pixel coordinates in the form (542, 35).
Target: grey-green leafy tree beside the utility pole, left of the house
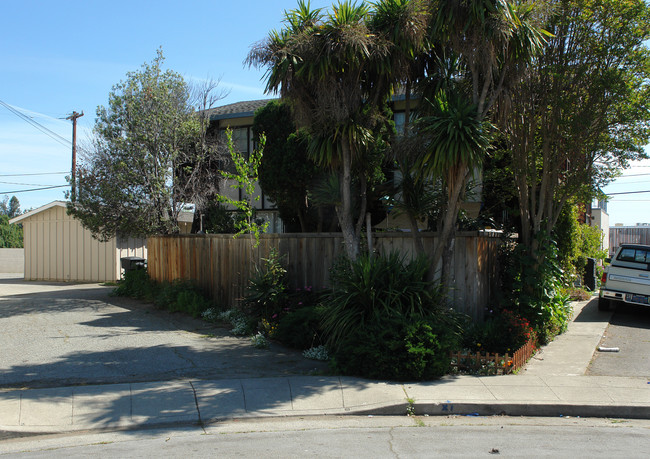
(150, 156)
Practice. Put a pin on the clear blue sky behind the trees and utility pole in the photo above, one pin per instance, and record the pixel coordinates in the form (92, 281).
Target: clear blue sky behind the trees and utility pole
(63, 56)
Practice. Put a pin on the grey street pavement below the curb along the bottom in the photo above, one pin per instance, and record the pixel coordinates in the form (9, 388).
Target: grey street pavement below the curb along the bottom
(358, 437)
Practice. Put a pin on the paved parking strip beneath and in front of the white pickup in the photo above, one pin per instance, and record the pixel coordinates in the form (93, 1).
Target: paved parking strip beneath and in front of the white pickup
(628, 330)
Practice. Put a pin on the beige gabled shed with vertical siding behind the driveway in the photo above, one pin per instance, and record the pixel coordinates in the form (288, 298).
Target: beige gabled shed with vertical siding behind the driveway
(59, 248)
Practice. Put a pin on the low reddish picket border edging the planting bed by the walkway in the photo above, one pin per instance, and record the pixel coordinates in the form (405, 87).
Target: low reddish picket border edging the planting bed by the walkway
(491, 364)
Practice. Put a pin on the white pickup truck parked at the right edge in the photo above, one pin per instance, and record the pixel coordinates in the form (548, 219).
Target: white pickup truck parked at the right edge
(627, 278)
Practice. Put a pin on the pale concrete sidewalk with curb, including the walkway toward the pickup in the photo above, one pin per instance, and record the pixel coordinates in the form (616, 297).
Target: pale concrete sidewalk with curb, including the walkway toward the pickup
(553, 384)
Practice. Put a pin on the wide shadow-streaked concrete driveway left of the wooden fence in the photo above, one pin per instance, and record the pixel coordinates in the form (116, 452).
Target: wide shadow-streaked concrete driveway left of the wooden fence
(56, 334)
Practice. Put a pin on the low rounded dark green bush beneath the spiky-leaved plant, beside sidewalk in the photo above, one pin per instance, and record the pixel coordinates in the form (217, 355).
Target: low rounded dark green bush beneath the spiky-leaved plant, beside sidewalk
(397, 348)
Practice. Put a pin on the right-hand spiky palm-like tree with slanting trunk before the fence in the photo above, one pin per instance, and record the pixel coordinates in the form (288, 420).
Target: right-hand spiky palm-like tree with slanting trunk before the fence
(483, 44)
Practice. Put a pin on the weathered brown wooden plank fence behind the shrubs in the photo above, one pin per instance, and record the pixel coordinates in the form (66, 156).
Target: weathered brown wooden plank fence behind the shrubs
(221, 265)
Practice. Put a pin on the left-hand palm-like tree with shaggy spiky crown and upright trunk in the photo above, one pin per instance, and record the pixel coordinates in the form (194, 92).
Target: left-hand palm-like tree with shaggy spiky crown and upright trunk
(334, 69)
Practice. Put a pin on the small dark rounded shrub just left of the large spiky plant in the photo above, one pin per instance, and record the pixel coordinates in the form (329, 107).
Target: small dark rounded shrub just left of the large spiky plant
(301, 329)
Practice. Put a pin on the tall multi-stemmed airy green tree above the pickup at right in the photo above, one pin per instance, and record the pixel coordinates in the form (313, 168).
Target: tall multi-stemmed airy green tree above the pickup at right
(581, 113)
